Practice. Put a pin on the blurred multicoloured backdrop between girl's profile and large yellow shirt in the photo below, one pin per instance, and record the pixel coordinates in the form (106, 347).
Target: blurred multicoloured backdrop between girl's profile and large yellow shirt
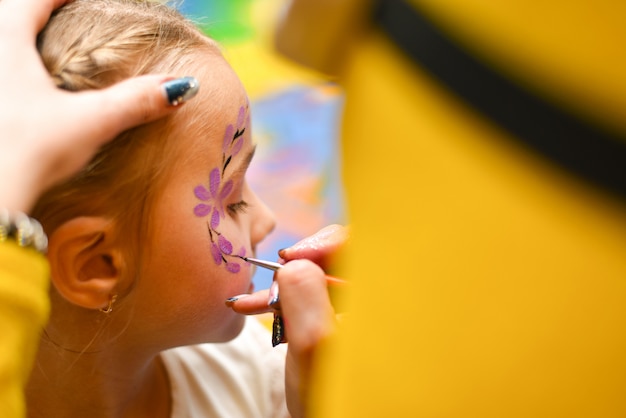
(295, 117)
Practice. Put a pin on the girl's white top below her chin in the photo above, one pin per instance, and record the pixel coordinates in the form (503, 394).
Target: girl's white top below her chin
(241, 378)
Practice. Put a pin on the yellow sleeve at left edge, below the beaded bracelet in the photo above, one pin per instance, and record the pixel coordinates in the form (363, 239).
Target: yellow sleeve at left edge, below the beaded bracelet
(24, 309)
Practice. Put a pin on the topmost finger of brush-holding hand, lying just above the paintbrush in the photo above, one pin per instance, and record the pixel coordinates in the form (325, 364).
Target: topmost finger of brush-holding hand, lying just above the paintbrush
(319, 246)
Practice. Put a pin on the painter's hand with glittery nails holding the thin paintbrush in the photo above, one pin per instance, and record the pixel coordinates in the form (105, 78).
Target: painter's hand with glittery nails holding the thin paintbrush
(307, 314)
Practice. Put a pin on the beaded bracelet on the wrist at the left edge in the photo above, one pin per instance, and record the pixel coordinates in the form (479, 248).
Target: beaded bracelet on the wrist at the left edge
(25, 231)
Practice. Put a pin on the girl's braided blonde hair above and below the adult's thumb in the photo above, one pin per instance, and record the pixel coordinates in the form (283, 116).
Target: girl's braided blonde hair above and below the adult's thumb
(92, 44)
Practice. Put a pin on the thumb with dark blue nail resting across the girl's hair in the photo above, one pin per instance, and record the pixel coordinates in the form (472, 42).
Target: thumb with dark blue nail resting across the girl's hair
(133, 102)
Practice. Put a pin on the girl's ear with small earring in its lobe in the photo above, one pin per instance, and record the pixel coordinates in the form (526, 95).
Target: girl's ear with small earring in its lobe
(86, 264)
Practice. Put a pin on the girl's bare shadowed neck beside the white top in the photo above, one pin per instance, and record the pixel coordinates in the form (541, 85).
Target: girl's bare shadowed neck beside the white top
(97, 383)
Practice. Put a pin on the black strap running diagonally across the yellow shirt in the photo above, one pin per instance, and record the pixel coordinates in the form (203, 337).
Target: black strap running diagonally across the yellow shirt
(592, 152)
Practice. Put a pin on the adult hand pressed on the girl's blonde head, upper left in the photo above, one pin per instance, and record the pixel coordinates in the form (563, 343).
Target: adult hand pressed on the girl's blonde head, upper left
(48, 134)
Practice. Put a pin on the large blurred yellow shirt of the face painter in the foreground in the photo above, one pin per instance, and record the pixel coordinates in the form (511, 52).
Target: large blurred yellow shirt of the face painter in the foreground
(486, 281)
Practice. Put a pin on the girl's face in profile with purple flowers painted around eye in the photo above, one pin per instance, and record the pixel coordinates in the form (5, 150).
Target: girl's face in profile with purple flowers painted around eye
(205, 215)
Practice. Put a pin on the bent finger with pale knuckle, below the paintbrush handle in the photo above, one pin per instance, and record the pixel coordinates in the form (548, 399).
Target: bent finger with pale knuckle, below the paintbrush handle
(305, 305)
